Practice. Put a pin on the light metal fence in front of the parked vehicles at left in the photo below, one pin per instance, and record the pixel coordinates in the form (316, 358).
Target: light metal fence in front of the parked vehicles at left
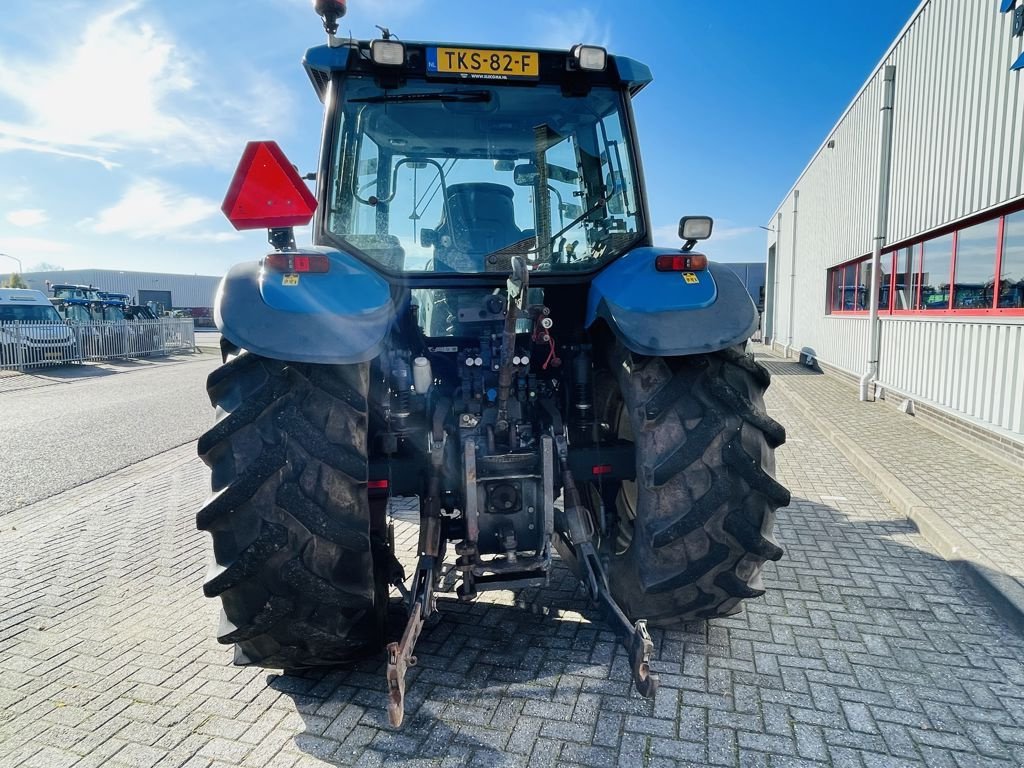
(26, 346)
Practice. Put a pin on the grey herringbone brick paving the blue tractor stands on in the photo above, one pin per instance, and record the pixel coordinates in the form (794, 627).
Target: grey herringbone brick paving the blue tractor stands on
(868, 651)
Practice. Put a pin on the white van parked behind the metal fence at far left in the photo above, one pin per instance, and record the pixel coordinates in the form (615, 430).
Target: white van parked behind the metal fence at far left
(31, 330)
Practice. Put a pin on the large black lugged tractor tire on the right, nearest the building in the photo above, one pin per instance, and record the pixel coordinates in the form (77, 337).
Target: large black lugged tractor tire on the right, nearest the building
(695, 530)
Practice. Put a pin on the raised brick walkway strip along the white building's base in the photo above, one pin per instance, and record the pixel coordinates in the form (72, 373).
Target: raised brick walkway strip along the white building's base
(980, 498)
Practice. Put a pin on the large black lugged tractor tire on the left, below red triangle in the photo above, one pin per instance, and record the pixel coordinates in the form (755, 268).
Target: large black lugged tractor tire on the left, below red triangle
(301, 571)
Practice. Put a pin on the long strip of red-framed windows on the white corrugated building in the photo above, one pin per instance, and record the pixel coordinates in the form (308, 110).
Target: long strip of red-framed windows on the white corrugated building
(953, 273)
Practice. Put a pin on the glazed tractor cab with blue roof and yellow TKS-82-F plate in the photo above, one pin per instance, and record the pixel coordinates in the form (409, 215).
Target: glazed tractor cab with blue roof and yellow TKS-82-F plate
(454, 159)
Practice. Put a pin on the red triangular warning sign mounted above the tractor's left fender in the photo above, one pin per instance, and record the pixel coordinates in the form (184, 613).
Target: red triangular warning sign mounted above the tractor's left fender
(267, 192)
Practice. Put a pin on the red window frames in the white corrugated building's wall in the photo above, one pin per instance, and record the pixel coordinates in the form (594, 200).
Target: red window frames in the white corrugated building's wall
(917, 266)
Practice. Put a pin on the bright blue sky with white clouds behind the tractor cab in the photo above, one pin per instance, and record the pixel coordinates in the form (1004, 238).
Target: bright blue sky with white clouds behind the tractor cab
(121, 123)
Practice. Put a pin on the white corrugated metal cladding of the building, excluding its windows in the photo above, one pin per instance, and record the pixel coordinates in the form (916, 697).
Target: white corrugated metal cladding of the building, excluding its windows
(958, 151)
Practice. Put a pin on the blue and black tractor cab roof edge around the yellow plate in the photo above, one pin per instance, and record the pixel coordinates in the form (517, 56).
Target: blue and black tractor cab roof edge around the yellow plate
(322, 62)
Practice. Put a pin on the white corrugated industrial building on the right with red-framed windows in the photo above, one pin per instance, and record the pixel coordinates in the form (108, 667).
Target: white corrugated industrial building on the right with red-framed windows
(937, 184)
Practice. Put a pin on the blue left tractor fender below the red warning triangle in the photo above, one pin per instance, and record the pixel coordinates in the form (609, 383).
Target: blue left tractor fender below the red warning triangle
(335, 318)
